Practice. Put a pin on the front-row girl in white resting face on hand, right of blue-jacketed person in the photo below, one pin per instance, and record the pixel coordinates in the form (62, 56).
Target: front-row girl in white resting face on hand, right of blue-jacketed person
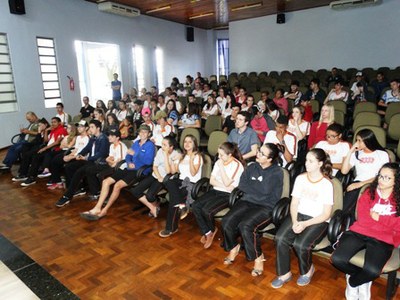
(165, 163)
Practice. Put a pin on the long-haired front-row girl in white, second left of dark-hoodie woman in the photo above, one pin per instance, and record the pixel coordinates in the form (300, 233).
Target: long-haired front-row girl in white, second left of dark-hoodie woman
(189, 168)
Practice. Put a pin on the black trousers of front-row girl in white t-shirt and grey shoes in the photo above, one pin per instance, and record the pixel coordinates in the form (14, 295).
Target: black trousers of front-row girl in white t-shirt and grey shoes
(302, 244)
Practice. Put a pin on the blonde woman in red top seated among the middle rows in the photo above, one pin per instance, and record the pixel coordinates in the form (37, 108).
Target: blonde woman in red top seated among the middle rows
(318, 129)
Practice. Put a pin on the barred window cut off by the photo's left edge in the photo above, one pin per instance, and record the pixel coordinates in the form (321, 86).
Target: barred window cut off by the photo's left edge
(8, 99)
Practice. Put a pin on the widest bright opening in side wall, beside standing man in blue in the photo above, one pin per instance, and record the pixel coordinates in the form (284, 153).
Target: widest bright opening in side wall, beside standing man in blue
(97, 62)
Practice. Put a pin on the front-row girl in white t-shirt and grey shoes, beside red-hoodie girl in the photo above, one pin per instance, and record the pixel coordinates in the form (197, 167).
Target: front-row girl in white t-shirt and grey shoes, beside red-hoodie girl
(310, 209)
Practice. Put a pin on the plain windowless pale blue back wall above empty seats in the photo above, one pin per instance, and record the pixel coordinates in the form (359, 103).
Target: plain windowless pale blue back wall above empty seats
(318, 38)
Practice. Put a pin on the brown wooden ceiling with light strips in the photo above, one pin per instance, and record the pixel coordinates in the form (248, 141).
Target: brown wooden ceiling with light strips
(219, 12)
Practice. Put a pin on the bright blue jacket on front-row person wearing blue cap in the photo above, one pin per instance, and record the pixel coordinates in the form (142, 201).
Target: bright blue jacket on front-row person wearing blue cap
(144, 155)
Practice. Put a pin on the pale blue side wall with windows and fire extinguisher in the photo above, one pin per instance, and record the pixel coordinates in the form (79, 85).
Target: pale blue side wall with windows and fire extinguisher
(69, 20)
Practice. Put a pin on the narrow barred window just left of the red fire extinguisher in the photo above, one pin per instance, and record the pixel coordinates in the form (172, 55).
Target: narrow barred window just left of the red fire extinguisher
(49, 71)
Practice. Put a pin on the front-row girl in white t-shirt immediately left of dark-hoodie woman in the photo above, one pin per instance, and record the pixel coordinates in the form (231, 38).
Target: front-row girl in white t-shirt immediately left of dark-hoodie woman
(224, 178)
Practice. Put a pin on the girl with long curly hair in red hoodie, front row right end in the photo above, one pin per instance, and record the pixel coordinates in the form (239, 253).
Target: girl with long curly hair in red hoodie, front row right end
(377, 230)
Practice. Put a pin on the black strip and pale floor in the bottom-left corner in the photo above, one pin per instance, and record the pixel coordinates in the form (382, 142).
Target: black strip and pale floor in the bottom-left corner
(22, 278)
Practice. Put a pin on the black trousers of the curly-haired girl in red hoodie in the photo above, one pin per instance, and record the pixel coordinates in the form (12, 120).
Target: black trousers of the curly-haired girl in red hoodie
(377, 253)
